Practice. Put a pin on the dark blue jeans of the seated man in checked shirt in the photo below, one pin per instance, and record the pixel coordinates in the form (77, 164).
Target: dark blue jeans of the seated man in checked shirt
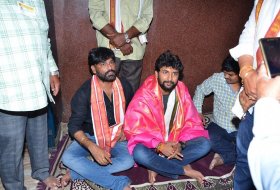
(223, 143)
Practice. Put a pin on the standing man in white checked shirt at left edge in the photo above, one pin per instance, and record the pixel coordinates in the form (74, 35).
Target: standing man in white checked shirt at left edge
(27, 70)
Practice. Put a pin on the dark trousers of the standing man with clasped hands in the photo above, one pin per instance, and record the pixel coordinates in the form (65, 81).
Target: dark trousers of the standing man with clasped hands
(131, 70)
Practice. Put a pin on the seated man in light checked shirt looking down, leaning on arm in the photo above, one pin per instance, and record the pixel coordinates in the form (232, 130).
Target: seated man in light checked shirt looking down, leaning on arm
(222, 130)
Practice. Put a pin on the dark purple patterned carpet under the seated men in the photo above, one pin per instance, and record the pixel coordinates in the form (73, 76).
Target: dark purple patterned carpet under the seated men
(220, 178)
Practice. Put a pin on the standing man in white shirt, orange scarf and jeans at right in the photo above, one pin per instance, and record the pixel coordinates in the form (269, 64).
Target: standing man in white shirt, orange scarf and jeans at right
(264, 21)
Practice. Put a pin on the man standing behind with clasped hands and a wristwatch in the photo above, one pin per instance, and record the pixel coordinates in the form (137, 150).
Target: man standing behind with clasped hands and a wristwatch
(121, 26)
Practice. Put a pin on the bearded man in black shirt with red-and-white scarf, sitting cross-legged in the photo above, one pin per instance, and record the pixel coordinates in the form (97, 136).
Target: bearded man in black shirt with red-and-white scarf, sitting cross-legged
(99, 148)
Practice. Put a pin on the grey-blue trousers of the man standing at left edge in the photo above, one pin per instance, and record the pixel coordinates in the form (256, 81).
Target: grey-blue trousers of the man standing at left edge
(14, 127)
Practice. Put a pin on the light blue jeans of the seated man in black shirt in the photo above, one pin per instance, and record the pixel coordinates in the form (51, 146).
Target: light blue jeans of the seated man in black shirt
(81, 167)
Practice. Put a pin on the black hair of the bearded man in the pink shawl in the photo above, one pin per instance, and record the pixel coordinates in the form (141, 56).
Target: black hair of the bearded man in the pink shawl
(168, 59)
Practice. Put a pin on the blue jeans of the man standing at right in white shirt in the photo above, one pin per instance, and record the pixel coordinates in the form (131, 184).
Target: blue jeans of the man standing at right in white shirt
(242, 178)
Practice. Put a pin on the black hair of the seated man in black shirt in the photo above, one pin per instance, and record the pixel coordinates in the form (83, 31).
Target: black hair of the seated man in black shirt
(100, 55)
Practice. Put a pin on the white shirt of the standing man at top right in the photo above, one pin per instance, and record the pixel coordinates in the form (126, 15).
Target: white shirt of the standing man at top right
(248, 41)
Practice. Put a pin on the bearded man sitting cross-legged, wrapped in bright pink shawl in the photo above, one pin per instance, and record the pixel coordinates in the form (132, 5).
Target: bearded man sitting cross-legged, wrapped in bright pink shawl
(164, 131)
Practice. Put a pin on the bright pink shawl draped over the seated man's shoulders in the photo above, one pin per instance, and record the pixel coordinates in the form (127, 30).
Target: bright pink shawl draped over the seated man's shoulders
(144, 118)
